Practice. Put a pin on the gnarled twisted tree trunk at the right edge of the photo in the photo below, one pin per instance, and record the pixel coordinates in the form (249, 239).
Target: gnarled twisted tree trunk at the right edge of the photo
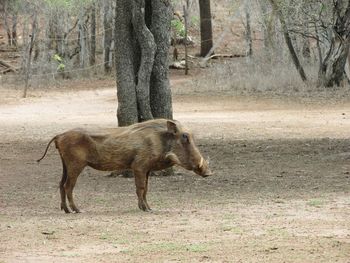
(332, 68)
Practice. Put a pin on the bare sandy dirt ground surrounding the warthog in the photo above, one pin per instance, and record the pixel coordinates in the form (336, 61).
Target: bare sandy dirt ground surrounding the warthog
(280, 192)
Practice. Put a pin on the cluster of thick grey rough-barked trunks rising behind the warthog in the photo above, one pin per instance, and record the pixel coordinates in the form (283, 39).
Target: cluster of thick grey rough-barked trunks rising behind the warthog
(142, 60)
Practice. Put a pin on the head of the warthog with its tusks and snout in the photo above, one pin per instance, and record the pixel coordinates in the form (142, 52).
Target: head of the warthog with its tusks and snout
(184, 152)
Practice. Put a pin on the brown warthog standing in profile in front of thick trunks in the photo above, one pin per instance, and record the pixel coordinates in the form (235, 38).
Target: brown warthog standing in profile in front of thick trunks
(143, 147)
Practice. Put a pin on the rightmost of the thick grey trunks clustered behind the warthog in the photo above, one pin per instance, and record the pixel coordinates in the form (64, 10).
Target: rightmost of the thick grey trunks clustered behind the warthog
(161, 101)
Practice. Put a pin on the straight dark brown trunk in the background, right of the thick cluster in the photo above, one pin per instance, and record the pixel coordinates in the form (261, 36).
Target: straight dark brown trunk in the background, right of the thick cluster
(205, 27)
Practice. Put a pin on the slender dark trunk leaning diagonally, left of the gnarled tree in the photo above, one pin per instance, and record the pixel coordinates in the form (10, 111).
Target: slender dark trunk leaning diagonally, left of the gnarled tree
(288, 40)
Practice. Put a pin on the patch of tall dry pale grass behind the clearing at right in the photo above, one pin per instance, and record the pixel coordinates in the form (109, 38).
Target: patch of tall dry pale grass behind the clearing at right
(261, 77)
